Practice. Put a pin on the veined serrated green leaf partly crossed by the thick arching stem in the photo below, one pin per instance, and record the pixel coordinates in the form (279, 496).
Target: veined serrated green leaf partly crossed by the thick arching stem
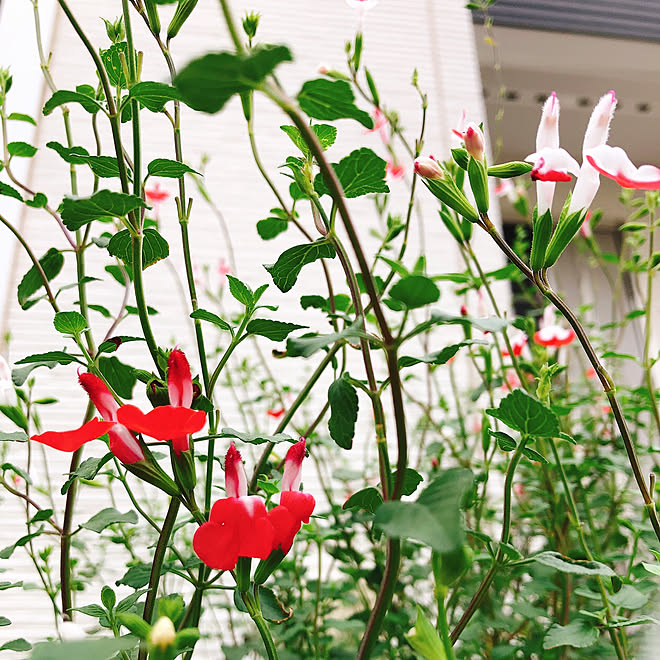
(362, 172)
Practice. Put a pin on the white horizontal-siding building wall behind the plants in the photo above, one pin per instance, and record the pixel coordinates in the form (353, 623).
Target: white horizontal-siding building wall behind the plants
(398, 37)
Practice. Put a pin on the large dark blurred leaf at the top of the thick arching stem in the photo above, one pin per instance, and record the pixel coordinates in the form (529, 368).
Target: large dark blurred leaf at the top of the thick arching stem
(207, 83)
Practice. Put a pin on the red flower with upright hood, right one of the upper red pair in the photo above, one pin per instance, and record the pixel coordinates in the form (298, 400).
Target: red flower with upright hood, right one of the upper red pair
(176, 421)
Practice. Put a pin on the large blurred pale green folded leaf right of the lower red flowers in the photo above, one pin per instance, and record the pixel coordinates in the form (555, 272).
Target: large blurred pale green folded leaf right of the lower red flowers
(435, 518)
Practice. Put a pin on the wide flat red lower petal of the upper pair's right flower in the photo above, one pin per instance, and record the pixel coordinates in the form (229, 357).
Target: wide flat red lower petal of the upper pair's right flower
(162, 423)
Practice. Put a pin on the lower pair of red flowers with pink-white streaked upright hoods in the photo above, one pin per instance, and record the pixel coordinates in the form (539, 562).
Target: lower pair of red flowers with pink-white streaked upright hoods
(240, 525)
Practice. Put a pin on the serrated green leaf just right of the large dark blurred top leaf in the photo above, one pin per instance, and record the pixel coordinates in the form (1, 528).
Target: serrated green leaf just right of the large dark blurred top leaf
(331, 99)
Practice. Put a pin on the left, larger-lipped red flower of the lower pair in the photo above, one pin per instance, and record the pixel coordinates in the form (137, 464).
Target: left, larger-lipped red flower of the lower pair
(239, 525)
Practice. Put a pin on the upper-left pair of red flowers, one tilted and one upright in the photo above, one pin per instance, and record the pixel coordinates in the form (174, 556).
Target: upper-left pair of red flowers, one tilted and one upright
(173, 422)
